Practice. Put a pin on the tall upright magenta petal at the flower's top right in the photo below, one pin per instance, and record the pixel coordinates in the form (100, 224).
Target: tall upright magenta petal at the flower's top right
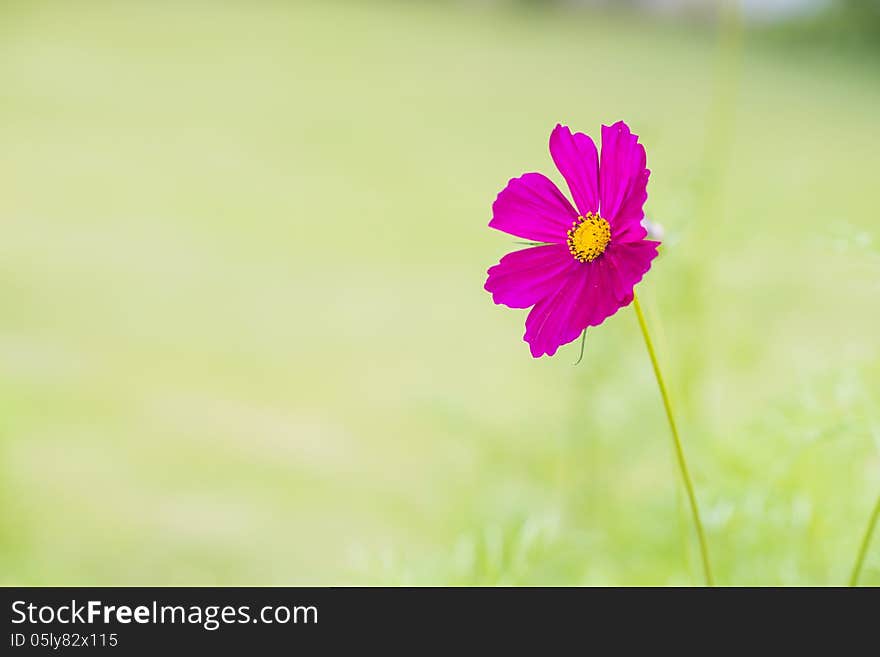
(623, 180)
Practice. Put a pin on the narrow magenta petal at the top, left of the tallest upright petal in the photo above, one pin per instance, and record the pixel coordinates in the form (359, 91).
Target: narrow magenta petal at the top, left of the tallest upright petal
(577, 160)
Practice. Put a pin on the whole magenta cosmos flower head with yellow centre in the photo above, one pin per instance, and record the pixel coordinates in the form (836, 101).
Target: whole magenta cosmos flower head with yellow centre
(586, 261)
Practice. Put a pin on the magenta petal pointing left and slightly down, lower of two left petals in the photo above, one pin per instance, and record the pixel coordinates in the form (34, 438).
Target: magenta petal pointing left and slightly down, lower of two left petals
(523, 278)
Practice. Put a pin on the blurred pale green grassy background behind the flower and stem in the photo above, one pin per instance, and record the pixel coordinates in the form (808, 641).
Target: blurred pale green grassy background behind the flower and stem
(243, 335)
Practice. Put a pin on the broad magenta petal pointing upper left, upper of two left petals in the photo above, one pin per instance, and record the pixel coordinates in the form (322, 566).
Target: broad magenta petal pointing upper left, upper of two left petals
(533, 208)
